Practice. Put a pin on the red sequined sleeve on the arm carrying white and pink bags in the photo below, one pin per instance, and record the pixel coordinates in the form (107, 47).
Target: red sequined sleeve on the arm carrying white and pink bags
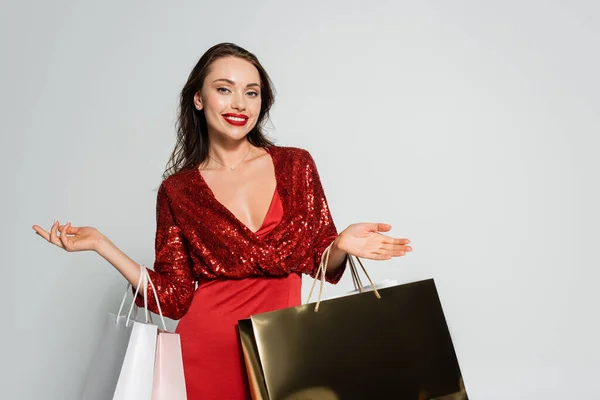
(172, 274)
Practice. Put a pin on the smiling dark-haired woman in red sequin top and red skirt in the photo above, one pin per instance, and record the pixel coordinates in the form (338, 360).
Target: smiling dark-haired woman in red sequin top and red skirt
(238, 215)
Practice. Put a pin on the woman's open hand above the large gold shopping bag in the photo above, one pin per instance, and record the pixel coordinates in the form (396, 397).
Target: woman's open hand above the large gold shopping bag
(365, 240)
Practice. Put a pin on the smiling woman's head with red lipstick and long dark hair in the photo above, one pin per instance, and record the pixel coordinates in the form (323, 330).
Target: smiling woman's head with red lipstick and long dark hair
(225, 75)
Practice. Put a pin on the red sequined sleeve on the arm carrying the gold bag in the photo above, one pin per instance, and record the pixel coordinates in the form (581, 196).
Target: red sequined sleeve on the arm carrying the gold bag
(324, 230)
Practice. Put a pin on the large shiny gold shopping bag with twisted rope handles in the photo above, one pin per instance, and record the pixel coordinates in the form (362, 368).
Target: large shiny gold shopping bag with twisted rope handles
(391, 343)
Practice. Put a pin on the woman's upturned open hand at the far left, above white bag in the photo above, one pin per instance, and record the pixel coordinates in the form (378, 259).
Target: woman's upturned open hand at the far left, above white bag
(71, 238)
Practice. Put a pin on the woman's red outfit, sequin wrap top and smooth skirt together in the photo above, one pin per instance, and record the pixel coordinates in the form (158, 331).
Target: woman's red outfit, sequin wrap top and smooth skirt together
(239, 272)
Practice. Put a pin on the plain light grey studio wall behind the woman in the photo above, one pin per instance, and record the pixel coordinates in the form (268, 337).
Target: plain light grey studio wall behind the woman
(470, 126)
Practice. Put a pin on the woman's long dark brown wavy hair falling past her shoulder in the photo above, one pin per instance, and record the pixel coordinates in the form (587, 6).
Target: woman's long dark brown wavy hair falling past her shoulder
(191, 147)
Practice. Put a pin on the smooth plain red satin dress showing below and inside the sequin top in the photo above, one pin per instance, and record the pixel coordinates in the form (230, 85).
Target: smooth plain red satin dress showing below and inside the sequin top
(212, 357)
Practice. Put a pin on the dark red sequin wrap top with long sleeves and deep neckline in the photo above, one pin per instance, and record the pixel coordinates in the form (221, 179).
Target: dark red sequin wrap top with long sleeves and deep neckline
(198, 238)
